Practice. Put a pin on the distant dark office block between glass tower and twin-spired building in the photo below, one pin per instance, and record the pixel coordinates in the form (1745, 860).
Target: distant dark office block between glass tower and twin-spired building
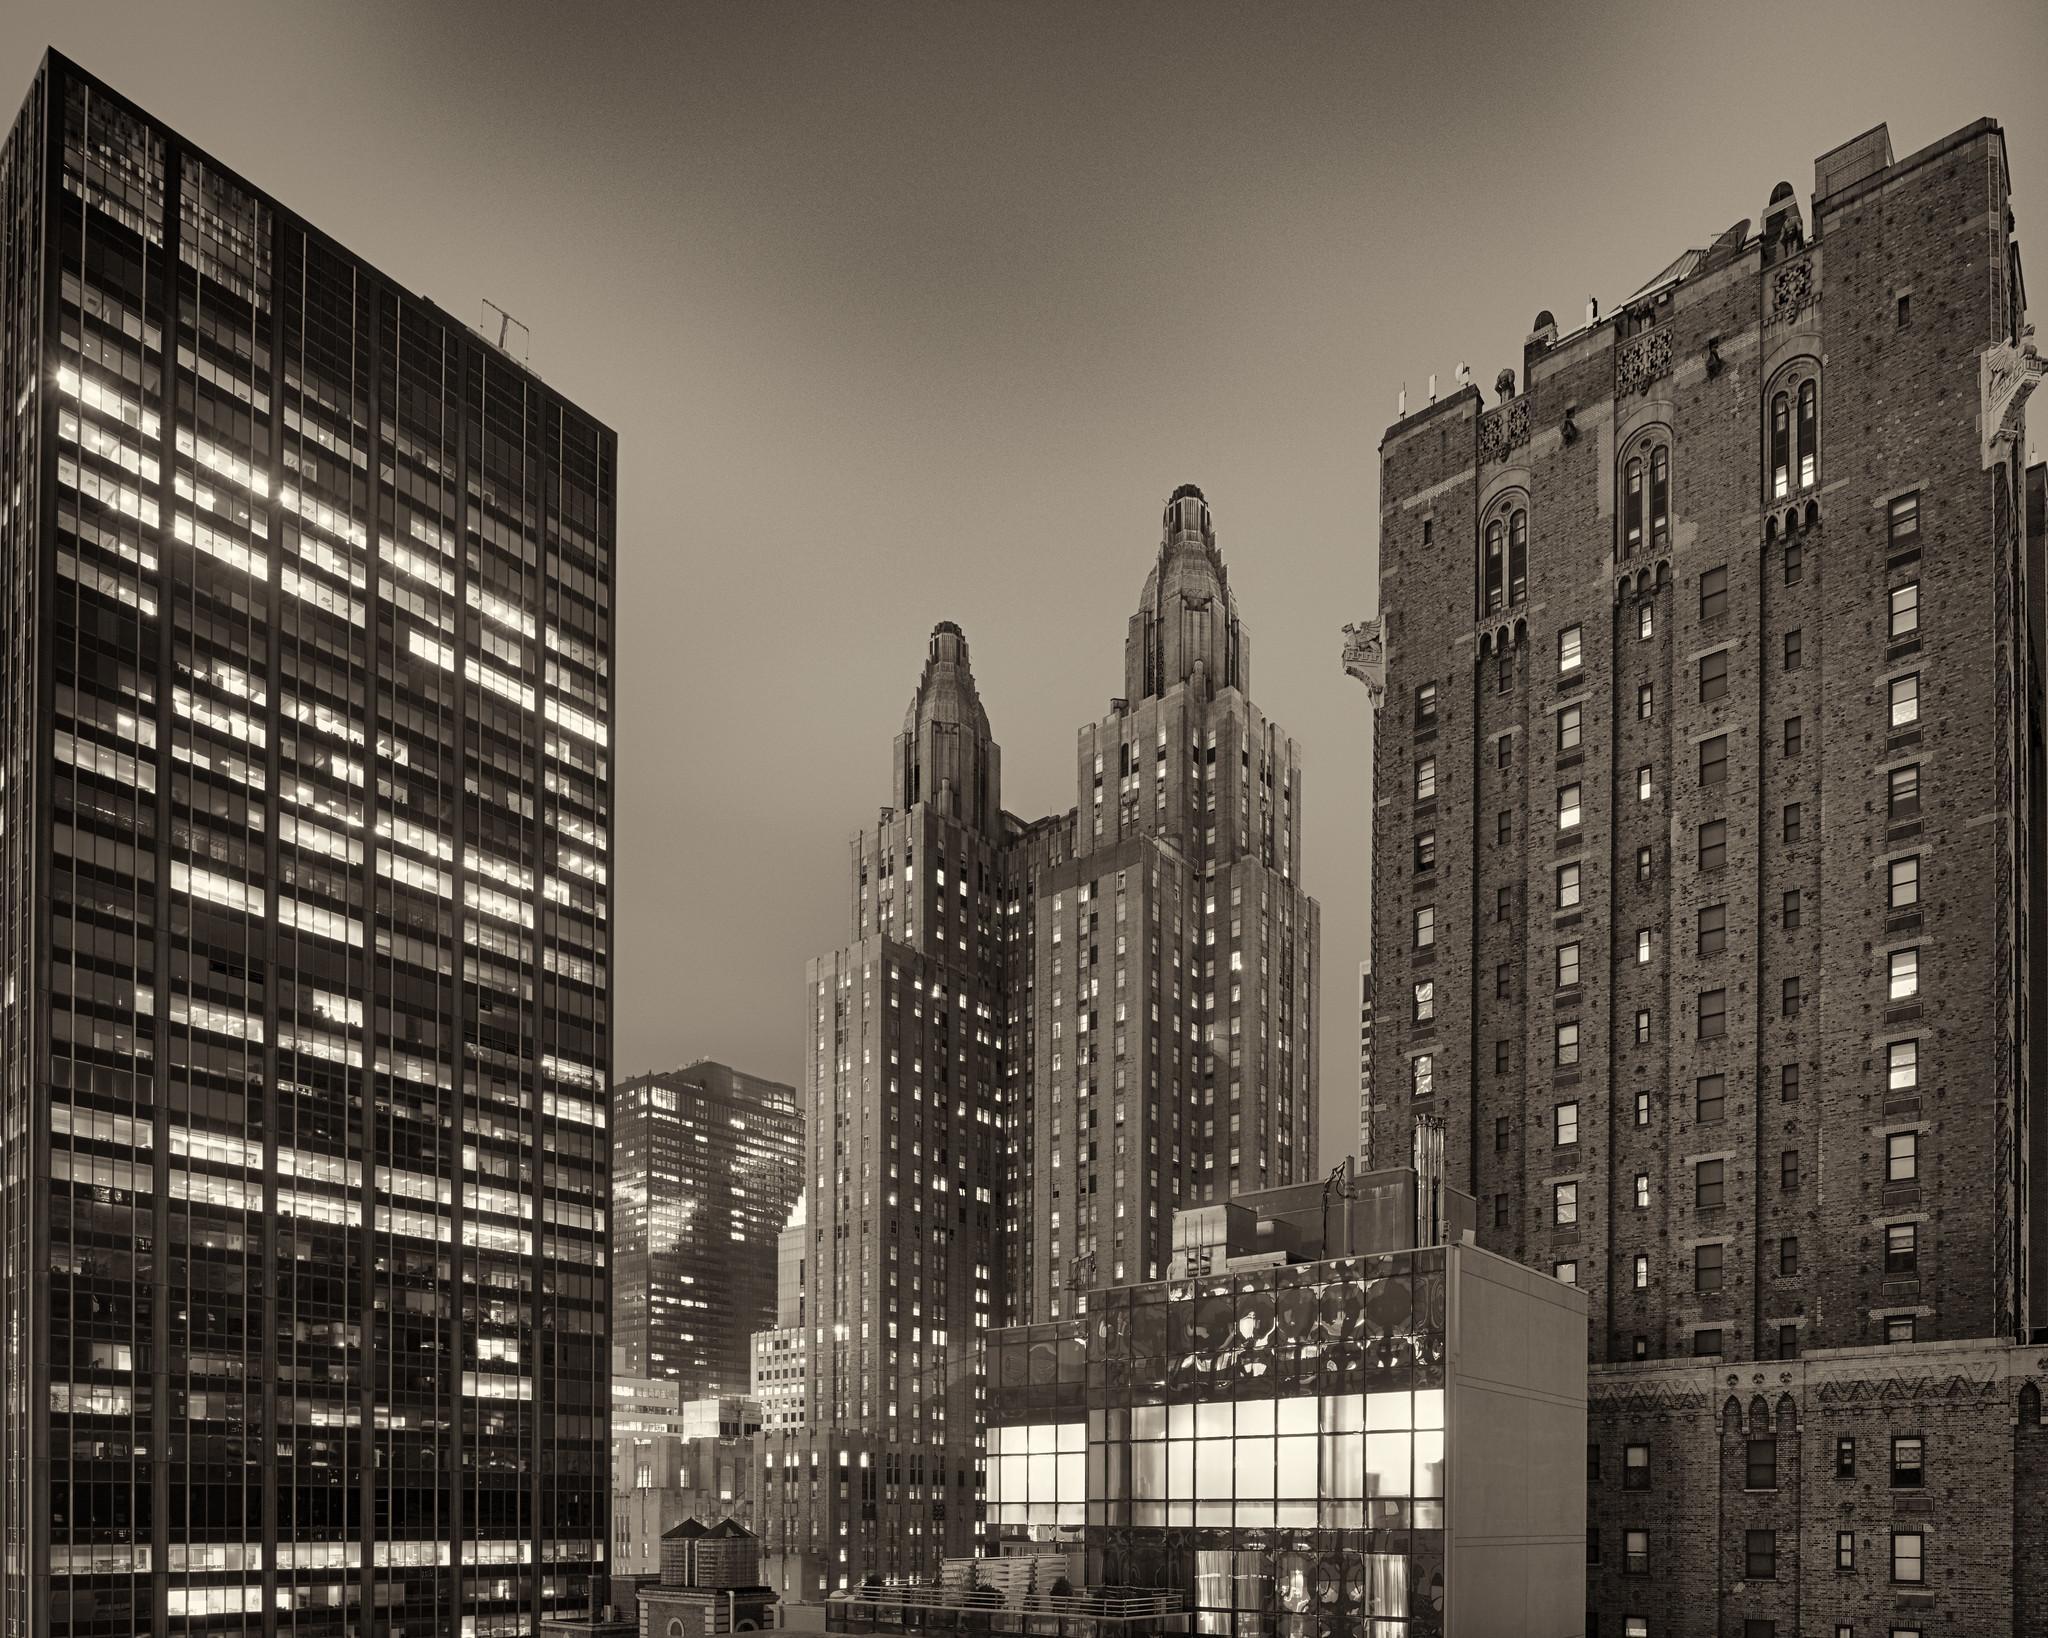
(708, 1164)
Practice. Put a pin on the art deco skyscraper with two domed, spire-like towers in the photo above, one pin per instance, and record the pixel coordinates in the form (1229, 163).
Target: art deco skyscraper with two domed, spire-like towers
(1043, 1039)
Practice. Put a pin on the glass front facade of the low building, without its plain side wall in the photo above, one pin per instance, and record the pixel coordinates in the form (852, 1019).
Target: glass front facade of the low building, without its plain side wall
(1271, 1442)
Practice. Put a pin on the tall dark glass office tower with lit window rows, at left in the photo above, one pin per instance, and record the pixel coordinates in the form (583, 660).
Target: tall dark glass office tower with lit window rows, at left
(304, 924)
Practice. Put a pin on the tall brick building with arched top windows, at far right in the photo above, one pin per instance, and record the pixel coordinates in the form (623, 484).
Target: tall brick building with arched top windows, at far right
(1709, 800)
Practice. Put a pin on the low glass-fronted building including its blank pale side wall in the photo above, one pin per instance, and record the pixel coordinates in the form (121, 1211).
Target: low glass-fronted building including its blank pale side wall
(1371, 1445)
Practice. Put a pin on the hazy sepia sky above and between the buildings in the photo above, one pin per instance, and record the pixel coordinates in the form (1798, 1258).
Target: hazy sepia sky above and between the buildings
(921, 312)
